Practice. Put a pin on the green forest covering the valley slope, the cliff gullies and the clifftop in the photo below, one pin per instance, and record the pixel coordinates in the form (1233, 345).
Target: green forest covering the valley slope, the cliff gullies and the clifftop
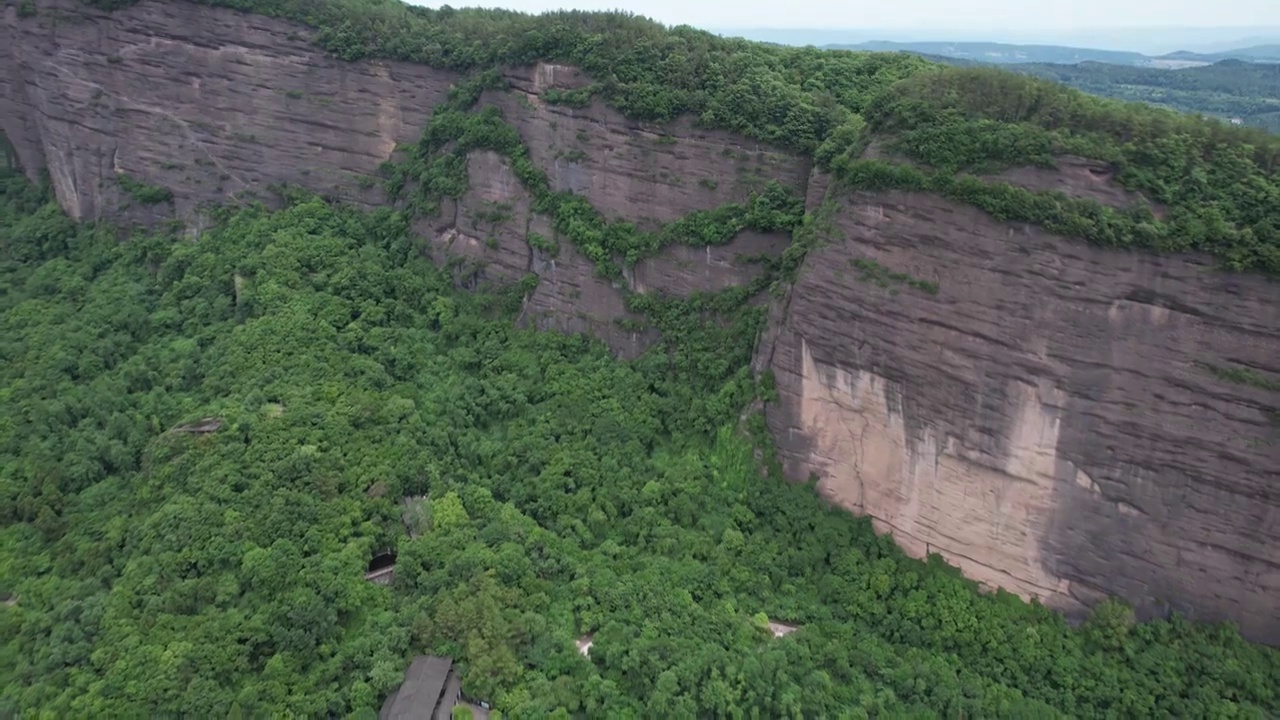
(152, 571)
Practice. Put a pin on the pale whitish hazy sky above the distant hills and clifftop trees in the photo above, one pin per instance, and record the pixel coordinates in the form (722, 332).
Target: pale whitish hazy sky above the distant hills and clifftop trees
(966, 16)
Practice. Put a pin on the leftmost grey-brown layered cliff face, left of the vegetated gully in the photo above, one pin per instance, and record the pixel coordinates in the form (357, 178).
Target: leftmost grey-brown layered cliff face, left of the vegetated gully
(205, 102)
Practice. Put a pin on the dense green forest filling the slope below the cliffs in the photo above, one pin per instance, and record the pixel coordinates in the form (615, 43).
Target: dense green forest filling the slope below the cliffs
(152, 571)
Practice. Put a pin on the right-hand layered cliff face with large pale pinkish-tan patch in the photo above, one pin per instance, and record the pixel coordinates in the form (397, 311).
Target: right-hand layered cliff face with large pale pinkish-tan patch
(1035, 411)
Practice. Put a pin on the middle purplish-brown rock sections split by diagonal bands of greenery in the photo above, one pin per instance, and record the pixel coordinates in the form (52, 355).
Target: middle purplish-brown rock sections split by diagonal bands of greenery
(630, 172)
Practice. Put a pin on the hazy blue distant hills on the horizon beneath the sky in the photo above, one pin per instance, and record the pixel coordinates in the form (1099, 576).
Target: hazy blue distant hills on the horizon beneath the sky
(1004, 53)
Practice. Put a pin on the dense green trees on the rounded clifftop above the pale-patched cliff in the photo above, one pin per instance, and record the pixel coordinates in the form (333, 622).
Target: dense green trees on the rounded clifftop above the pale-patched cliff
(1218, 184)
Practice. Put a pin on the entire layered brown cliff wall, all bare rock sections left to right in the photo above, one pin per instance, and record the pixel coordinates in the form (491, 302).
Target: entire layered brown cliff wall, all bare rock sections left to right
(1036, 411)
